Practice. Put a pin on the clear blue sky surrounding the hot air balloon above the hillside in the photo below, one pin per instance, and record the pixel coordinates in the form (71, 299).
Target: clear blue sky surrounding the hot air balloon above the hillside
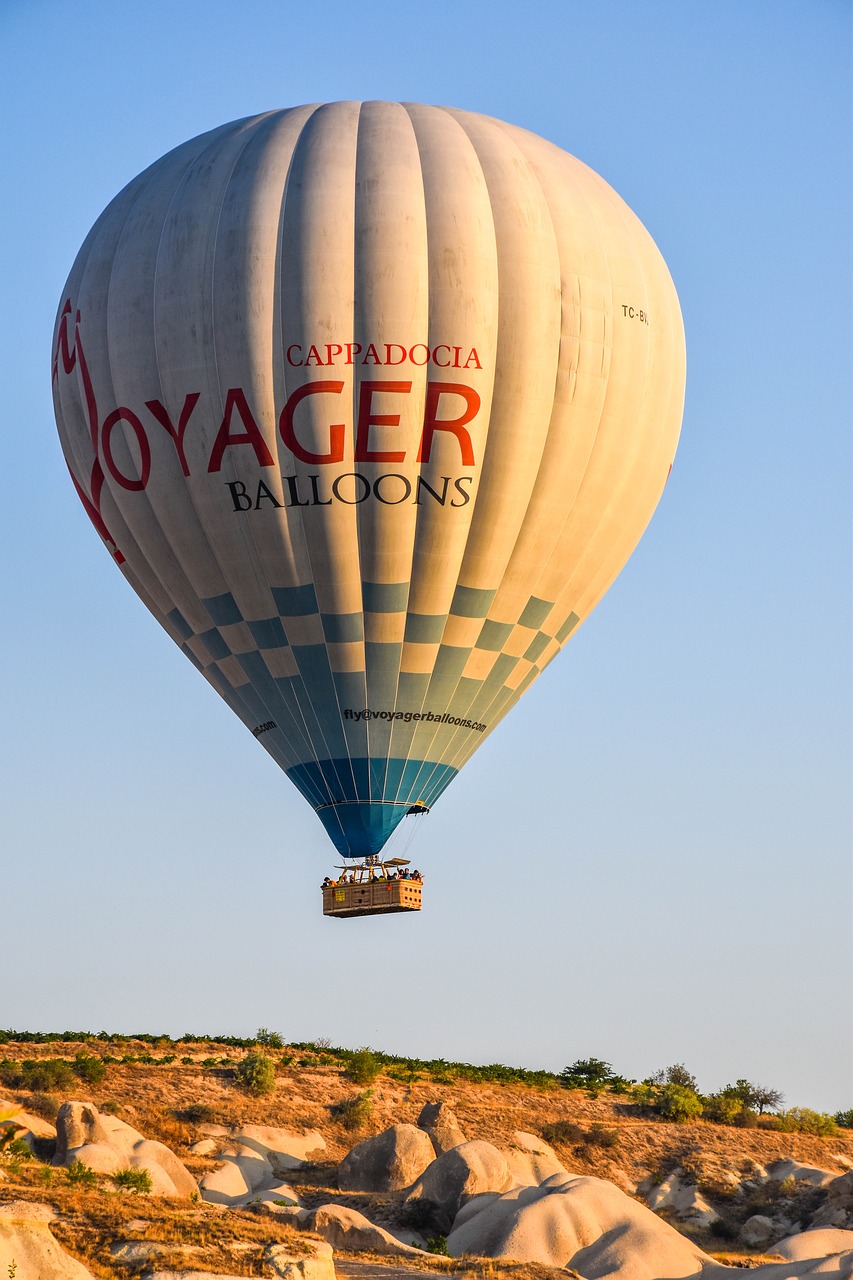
(650, 862)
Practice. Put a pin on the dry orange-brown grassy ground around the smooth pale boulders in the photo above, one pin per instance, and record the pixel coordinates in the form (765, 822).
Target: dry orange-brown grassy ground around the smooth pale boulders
(154, 1099)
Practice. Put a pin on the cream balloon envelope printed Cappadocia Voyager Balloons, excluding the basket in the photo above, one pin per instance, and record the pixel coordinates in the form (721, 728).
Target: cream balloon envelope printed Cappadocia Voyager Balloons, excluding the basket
(370, 403)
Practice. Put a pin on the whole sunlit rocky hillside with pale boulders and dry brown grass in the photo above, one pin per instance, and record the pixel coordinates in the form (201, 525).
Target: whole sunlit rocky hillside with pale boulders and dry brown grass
(213, 1159)
